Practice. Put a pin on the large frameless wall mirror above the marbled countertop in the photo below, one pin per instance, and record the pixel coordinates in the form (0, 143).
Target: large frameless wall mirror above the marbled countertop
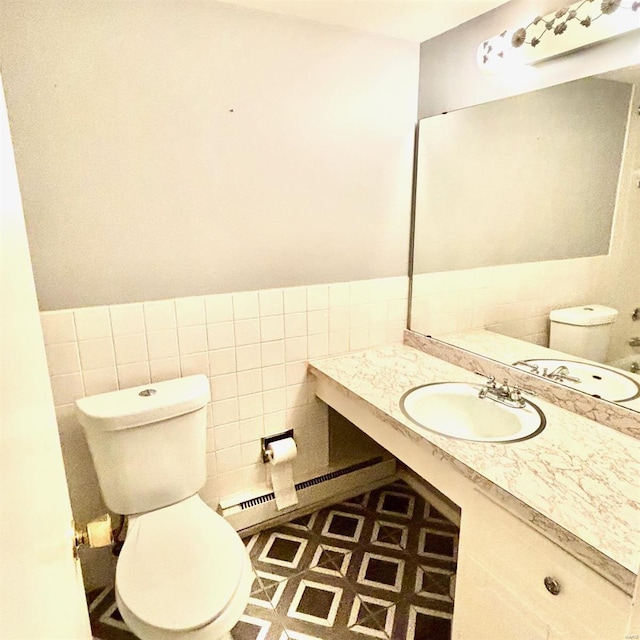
(526, 207)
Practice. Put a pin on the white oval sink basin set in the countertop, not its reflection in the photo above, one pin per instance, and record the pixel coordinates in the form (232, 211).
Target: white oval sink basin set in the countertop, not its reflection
(454, 409)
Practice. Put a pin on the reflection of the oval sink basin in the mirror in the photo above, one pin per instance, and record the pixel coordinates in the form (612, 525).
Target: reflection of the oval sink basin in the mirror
(595, 380)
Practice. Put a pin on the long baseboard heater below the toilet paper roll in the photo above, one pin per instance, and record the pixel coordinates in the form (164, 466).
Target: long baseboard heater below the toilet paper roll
(326, 488)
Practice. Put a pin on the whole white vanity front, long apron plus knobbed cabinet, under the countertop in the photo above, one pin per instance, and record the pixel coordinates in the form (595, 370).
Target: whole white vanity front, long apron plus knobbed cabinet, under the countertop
(503, 561)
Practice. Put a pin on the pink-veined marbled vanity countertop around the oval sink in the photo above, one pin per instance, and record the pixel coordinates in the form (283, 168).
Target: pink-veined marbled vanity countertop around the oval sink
(577, 473)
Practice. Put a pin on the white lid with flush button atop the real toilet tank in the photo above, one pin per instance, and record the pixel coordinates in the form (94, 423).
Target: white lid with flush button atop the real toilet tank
(145, 404)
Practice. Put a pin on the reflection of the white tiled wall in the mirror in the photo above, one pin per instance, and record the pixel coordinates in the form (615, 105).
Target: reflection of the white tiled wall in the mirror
(513, 300)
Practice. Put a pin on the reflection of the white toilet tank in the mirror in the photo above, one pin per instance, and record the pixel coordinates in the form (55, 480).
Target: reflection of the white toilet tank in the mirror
(582, 331)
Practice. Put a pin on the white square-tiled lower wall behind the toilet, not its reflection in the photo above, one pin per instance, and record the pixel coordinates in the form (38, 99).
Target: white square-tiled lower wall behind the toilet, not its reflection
(252, 345)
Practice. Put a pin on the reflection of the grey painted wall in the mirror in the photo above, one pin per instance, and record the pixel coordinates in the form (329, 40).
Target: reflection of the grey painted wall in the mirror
(523, 179)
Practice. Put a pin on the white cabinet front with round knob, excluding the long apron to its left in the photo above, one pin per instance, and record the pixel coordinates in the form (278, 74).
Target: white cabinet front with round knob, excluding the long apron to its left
(513, 582)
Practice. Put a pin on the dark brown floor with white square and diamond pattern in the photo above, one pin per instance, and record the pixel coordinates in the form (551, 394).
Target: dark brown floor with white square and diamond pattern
(379, 565)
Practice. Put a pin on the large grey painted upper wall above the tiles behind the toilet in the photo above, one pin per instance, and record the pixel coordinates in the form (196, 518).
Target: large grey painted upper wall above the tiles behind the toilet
(187, 148)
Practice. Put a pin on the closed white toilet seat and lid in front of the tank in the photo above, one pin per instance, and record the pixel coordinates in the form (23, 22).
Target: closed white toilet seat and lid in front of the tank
(180, 567)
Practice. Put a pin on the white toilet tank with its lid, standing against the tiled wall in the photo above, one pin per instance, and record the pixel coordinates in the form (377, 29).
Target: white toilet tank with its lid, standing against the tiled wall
(148, 443)
